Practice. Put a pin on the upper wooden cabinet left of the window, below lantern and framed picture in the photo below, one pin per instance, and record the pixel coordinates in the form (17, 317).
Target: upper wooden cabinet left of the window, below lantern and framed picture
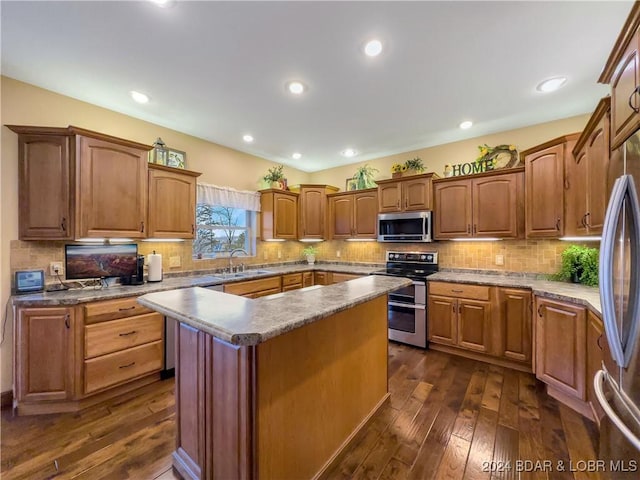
(172, 202)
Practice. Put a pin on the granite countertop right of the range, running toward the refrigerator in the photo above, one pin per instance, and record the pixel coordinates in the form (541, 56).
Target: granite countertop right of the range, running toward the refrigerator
(568, 292)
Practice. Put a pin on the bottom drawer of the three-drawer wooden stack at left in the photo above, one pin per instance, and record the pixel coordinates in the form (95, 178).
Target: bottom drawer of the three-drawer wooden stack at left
(119, 367)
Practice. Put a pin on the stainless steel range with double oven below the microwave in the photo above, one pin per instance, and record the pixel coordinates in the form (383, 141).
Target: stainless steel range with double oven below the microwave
(407, 307)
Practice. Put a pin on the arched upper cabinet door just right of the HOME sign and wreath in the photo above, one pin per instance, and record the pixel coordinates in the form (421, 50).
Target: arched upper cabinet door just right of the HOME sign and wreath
(544, 174)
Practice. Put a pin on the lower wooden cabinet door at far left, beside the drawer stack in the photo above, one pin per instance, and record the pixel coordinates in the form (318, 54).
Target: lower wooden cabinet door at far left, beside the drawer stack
(44, 354)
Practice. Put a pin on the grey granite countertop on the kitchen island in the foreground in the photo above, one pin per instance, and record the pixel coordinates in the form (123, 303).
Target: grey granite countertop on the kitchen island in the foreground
(243, 321)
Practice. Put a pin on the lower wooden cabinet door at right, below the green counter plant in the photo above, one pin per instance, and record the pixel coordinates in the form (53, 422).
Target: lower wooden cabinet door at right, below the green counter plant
(560, 346)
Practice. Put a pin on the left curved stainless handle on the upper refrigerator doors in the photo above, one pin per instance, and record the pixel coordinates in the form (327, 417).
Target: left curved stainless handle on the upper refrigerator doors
(606, 269)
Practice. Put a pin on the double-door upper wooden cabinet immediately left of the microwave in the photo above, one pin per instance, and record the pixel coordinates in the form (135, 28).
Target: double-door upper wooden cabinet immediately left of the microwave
(354, 214)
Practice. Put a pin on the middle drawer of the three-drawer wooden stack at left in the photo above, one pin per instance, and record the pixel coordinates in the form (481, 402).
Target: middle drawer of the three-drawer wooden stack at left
(107, 337)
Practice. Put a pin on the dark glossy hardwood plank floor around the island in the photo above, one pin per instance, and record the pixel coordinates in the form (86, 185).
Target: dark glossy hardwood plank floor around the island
(448, 418)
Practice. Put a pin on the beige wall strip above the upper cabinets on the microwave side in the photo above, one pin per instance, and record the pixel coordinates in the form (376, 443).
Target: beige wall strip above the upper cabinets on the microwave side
(435, 158)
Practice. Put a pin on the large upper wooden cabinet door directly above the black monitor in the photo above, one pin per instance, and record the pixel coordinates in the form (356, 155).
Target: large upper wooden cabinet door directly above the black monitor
(112, 189)
